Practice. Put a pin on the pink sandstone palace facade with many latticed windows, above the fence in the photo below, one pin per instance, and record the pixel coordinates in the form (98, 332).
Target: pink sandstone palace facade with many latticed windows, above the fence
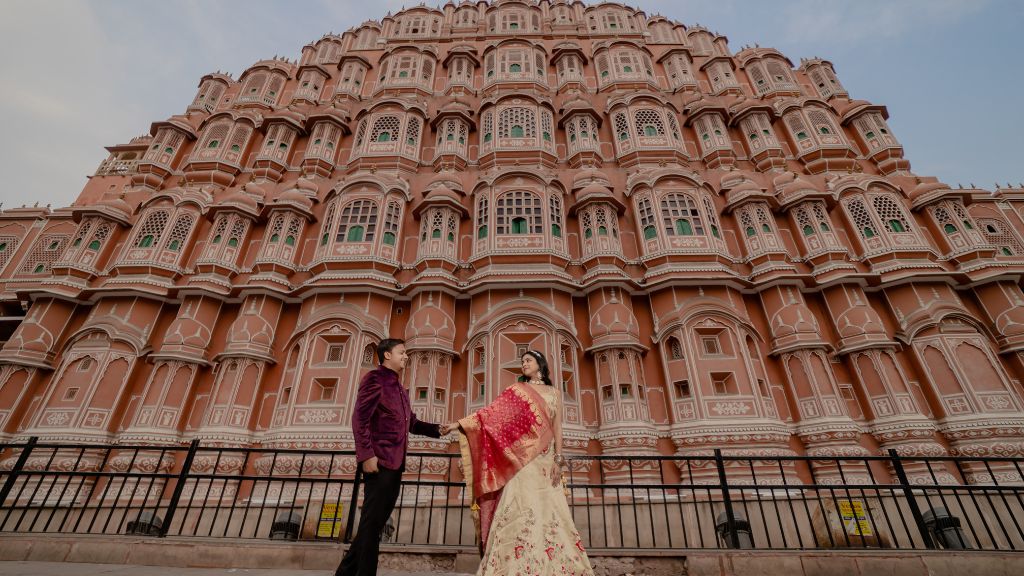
(715, 249)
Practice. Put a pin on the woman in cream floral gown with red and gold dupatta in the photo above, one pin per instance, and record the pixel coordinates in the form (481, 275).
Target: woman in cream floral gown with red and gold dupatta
(511, 455)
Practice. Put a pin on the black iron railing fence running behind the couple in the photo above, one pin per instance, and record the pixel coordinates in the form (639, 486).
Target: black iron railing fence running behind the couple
(618, 503)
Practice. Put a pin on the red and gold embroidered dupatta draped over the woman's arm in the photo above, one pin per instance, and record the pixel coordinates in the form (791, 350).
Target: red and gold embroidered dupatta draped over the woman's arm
(497, 442)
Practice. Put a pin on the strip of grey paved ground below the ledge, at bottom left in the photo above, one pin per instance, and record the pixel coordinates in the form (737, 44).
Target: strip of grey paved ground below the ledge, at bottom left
(79, 569)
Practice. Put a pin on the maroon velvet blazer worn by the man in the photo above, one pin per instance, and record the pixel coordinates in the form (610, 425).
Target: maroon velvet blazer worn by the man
(383, 419)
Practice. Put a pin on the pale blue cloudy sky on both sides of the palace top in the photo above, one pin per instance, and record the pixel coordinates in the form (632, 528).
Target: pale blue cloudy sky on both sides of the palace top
(81, 75)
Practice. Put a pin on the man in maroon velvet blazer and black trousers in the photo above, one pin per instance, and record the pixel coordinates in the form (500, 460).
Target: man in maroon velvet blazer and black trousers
(381, 423)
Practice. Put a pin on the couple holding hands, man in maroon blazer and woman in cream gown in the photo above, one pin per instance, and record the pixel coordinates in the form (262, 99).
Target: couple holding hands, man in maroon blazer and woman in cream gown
(513, 464)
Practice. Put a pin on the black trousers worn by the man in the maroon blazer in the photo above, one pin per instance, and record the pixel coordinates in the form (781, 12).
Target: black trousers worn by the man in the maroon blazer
(381, 495)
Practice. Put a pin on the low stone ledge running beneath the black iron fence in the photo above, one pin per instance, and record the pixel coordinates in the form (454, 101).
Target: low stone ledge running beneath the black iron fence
(199, 553)
